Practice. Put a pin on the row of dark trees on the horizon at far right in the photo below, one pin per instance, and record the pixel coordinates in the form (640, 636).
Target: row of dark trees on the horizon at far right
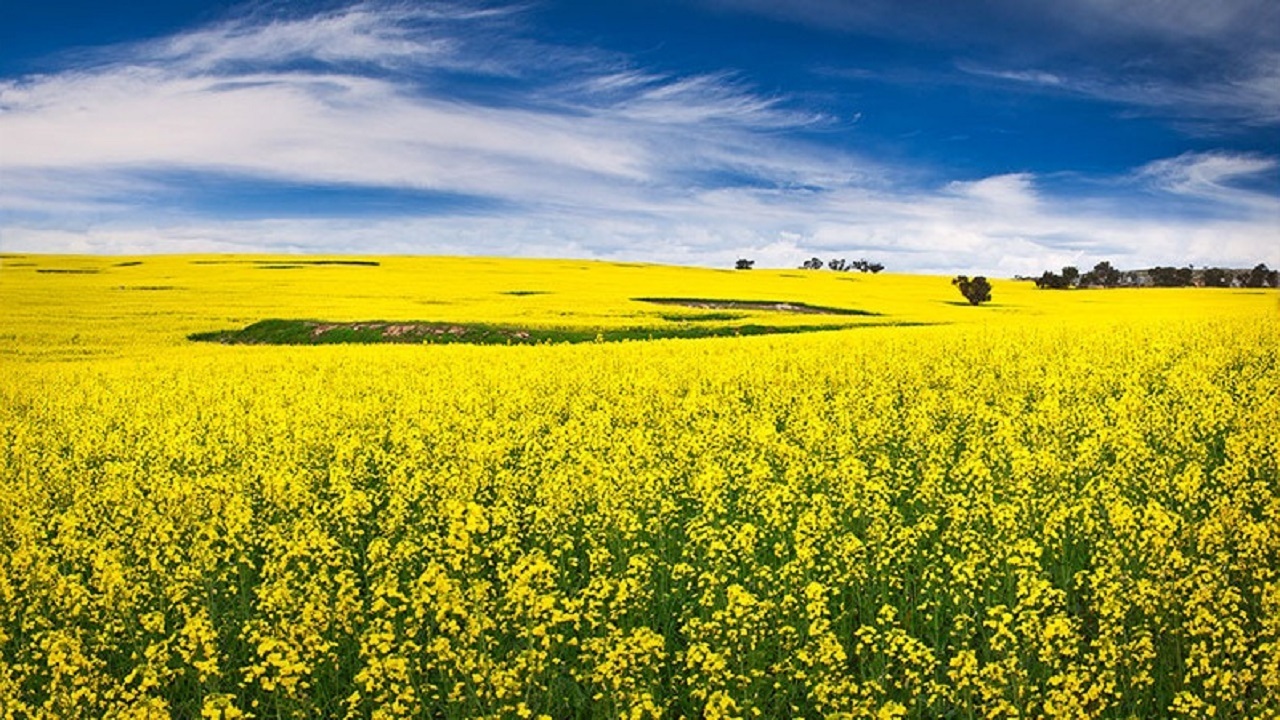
(1104, 275)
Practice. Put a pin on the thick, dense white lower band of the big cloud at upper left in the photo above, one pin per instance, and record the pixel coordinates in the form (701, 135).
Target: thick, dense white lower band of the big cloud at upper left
(323, 129)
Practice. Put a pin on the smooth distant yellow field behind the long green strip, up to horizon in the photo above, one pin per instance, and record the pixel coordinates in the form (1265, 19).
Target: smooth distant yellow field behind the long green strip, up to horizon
(93, 307)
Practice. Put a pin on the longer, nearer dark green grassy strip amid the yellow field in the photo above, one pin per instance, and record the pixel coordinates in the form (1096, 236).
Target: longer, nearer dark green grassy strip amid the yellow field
(318, 332)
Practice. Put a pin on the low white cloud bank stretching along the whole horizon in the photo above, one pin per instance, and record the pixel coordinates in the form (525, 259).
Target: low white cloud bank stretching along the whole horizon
(944, 231)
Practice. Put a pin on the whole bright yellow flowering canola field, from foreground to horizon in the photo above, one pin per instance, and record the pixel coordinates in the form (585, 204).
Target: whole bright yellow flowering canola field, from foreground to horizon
(1058, 505)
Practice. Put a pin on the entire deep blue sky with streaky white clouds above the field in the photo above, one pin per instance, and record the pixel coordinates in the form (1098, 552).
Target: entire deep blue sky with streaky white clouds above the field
(994, 136)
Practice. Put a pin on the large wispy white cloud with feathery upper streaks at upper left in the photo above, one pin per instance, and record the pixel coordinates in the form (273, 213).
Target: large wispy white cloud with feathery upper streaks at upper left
(222, 99)
